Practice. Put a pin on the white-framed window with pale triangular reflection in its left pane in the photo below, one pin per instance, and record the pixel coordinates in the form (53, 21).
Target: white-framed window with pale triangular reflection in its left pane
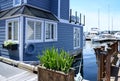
(34, 30)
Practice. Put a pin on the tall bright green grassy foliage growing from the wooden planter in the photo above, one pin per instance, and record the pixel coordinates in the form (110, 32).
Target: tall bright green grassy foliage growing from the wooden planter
(54, 60)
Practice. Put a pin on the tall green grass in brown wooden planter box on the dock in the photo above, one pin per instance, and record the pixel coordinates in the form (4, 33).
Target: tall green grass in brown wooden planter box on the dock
(55, 66)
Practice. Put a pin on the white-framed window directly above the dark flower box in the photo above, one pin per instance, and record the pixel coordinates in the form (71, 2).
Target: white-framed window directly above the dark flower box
(12, 29)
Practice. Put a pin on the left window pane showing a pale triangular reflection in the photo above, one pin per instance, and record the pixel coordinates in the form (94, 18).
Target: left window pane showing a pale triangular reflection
(30, 30)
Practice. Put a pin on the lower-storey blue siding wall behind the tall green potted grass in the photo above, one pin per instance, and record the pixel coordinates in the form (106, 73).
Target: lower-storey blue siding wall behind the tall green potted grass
(65, 41)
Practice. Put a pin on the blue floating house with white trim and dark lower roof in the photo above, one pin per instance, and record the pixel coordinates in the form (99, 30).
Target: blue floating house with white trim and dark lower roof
(39, 24)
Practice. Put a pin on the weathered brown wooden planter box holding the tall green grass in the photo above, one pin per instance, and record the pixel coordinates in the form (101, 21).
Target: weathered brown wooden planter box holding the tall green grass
(50, 75)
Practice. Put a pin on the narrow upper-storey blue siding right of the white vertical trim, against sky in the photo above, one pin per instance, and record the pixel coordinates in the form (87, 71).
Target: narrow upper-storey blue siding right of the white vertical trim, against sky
(64, 9)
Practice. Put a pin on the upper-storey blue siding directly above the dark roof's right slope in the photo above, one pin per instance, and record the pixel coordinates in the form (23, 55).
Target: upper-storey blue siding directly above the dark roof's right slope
(44, 4)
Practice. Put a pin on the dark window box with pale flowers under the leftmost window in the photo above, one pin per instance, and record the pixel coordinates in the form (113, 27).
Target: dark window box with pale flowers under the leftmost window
(10, 45)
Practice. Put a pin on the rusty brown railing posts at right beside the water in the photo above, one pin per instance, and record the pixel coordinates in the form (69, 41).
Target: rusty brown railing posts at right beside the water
(105, 59)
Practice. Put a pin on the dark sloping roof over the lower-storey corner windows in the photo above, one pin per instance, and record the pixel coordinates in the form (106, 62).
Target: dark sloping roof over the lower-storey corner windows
(27, 10)
